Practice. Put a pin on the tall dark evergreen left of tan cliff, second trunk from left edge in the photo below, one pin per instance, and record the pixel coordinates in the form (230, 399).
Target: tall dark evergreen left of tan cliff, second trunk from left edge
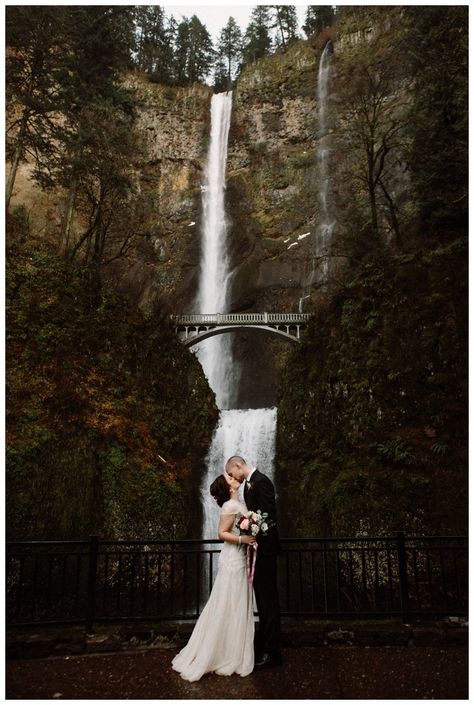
(99, 45)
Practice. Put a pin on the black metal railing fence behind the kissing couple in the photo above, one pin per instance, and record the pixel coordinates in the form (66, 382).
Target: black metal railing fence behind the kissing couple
(72, 582)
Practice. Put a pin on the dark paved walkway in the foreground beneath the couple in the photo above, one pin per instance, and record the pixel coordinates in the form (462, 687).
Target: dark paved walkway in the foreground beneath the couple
(343, 672)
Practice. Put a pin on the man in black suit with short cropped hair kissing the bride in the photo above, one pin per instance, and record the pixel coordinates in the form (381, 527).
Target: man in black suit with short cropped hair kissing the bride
(259, 493)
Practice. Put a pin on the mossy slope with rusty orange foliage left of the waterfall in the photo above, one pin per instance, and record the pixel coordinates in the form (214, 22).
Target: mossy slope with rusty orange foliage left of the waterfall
(109, 416)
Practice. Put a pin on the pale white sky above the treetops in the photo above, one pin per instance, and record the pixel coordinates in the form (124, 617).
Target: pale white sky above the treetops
(215, 16)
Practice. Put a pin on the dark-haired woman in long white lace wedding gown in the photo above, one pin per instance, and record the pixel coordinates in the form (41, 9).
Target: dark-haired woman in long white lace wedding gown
(222, 639)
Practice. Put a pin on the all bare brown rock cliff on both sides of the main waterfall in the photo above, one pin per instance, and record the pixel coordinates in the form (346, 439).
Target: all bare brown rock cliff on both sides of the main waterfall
(271, 199)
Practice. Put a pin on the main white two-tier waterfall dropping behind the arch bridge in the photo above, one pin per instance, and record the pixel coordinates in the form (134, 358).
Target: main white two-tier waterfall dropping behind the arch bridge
(249, 433)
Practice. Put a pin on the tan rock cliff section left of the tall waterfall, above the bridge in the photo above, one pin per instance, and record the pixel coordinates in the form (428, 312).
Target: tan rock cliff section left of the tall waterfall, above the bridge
(173, 125)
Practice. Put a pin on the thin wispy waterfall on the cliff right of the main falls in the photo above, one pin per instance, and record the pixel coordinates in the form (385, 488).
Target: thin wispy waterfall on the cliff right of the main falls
(323, 234)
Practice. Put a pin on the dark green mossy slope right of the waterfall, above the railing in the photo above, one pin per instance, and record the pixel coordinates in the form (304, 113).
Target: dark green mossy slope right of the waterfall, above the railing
(372, 425)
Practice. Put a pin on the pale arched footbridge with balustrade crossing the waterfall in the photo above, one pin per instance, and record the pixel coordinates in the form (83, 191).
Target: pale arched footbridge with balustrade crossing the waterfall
(194, 328)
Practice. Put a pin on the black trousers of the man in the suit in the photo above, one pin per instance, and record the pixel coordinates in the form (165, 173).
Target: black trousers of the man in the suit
(267, 639)
